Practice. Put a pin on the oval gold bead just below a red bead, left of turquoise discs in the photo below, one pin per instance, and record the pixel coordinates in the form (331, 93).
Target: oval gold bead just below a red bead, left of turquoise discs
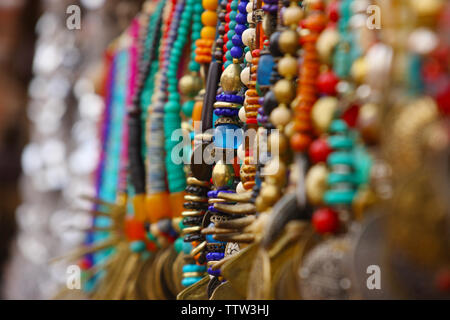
(316, 183)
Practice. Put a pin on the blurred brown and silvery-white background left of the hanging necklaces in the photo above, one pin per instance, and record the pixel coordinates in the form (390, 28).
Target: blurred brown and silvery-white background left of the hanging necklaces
(49, 108)
